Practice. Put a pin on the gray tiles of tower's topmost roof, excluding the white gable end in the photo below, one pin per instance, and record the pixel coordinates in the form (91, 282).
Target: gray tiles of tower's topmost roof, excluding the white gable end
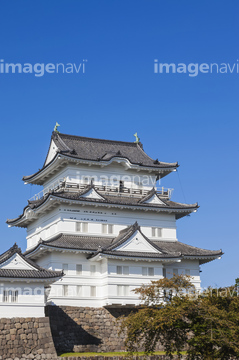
(101, 150)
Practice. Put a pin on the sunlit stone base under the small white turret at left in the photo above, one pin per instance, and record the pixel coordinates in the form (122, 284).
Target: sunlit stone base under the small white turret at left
(26, 338)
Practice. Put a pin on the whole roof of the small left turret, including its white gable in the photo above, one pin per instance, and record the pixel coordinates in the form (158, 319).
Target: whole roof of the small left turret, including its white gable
(15, 265)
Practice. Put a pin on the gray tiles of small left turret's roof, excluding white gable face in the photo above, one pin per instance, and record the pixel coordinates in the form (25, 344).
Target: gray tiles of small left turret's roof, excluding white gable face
(37, 273)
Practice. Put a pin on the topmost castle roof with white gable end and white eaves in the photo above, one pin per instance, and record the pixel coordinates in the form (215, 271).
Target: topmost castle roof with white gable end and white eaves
(98, 151)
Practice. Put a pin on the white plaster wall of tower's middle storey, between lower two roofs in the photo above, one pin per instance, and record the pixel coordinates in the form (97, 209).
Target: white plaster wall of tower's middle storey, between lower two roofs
(63, 218)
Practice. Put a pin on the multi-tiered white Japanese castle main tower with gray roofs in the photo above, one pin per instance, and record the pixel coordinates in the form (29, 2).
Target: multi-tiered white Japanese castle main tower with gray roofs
(101, 219)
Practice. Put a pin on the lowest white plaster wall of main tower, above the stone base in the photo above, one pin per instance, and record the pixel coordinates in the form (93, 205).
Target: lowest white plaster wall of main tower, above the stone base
(106, 278)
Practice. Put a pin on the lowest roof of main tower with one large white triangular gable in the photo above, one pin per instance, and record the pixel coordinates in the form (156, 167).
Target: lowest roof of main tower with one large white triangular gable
(118, 247)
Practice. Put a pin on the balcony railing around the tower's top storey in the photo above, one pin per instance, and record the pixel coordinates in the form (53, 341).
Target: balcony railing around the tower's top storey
(104, 189)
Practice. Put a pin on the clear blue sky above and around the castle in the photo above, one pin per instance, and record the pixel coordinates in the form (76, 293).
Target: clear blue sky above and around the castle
(189, 119)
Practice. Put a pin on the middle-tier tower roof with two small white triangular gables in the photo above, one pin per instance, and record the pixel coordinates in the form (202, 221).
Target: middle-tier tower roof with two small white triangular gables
(164, 205)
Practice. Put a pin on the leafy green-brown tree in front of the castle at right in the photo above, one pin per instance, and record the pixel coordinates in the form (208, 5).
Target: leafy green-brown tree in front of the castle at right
(173, 314)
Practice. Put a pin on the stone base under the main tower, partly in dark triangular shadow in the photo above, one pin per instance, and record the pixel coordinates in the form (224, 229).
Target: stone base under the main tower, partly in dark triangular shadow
(77, 329)
